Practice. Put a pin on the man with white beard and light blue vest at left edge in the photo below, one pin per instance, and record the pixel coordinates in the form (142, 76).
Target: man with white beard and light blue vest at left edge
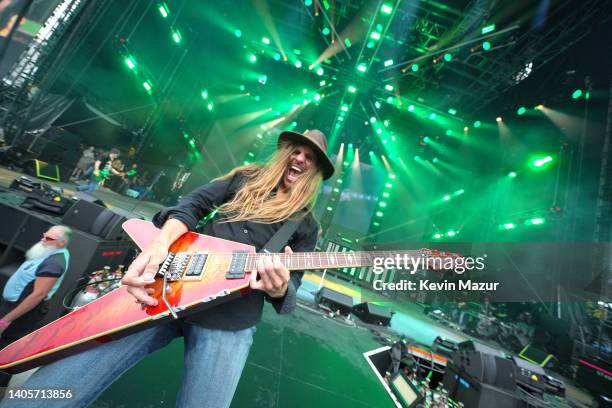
(36, 280)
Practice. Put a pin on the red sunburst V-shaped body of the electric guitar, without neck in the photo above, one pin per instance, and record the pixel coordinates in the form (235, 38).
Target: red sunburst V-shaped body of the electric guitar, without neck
(116, 314)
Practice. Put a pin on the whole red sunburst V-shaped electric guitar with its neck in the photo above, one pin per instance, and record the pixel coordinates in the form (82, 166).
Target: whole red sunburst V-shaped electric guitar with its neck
(202, 272)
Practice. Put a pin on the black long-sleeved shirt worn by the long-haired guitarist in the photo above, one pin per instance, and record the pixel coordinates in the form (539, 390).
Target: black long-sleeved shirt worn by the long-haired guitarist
(245, 311)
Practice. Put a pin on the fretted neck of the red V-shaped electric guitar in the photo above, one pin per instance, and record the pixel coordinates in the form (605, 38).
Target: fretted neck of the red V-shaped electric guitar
(300, 261)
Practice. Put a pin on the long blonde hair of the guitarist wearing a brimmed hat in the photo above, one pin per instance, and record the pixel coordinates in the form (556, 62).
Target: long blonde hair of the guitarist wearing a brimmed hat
(257, 201)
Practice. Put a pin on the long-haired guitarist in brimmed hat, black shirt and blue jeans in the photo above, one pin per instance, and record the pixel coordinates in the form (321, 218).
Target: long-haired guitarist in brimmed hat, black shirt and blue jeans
(254, 201)
